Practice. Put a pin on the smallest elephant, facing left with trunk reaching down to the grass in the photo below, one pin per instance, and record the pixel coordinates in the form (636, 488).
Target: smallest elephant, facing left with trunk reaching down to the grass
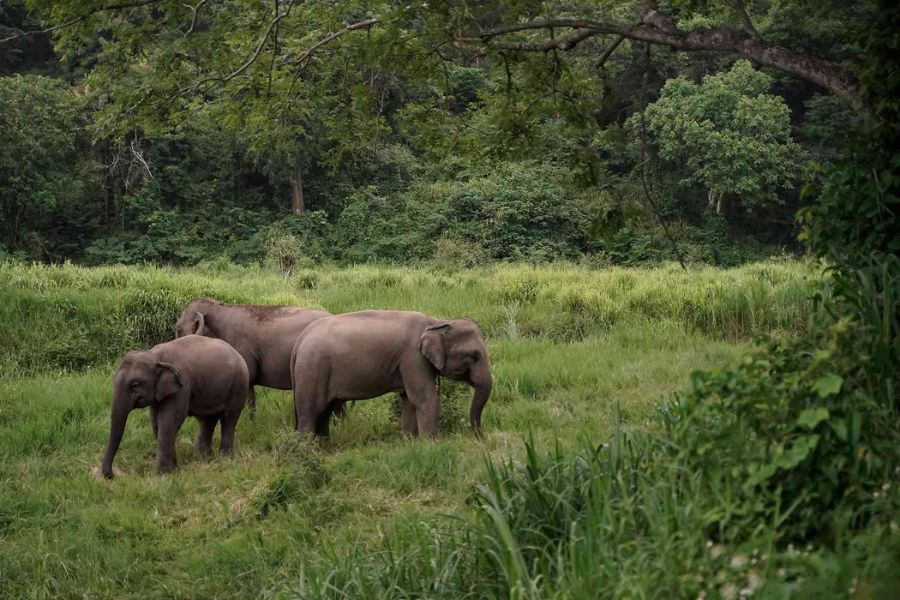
(192, 375)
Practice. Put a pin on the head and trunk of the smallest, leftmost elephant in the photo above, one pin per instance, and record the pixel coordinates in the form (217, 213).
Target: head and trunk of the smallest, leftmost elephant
(140, 381)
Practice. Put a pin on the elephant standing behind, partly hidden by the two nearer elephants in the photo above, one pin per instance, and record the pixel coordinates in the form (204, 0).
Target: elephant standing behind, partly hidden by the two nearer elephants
(263, 335)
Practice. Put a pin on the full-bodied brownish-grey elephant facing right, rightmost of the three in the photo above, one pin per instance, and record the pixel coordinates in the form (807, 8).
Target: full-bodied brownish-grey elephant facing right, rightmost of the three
(365, 354)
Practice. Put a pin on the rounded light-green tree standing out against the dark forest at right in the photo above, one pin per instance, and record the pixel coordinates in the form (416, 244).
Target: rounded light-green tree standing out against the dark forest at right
(730, 135)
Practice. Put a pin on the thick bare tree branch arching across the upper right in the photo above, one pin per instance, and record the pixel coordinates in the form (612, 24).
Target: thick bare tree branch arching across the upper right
(657, 27)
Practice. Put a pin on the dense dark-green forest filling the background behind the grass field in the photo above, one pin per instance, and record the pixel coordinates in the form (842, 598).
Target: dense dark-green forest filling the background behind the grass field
(365, 131)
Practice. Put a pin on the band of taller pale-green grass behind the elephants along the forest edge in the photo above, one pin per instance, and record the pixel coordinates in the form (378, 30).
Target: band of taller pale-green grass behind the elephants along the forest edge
(67, 317)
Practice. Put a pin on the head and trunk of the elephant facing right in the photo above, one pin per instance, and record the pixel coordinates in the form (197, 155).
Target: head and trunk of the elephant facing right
(457, 351)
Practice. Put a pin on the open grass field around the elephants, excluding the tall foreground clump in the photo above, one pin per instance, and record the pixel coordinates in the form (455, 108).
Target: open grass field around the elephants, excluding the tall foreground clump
(569, 345)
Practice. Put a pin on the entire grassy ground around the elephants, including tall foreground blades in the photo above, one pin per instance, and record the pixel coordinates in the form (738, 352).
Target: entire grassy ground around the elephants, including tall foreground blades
(580, 359)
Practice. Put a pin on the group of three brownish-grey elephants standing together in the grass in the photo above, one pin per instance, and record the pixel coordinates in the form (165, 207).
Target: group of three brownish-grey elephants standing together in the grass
(221, 351)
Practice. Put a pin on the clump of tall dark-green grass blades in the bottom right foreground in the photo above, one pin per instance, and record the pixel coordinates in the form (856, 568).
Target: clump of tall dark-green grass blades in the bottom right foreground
(607, 521)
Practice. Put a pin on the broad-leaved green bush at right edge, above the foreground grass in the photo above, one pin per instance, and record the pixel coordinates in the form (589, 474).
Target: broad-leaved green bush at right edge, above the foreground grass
(792, 435)
